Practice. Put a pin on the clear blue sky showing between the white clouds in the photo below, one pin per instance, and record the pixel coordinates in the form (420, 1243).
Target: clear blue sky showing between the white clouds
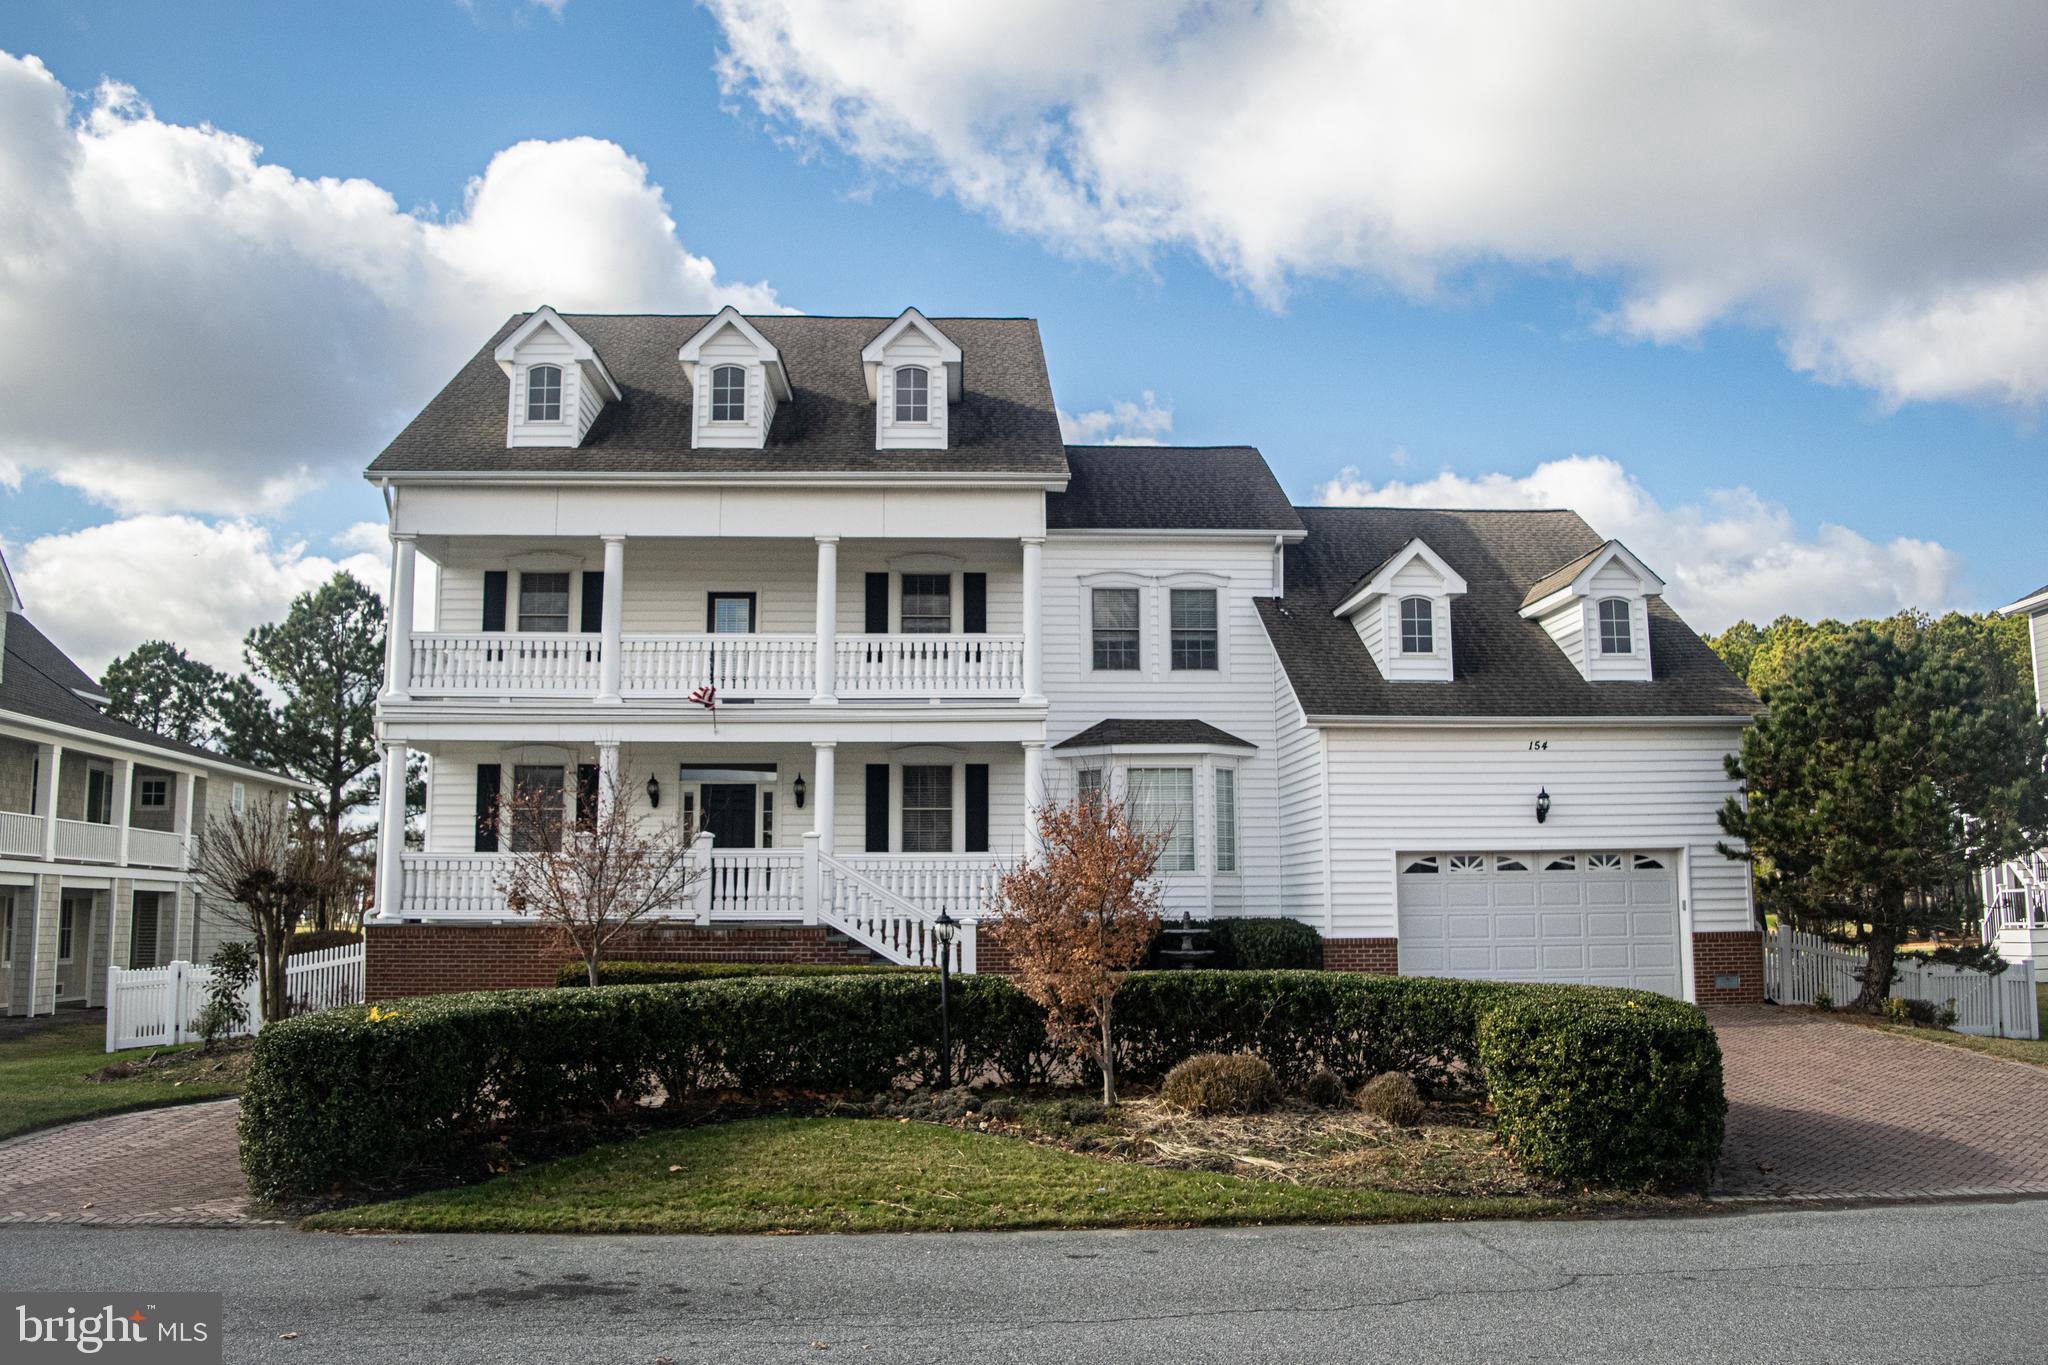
(1504, 361)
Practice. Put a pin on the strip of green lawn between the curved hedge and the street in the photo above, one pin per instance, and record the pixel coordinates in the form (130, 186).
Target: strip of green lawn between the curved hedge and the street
(880, 1176)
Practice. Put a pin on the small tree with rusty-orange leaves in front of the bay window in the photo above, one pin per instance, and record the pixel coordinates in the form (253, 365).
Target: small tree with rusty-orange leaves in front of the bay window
(1078, 918)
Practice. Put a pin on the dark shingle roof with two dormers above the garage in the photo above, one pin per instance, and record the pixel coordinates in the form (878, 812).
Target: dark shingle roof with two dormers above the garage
(1504, 666)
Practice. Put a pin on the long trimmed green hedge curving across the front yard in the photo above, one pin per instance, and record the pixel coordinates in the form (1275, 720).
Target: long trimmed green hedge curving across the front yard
(1588, 1084)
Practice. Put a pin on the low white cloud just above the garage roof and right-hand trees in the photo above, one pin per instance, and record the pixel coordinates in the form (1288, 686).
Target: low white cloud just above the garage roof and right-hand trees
(1730, 558)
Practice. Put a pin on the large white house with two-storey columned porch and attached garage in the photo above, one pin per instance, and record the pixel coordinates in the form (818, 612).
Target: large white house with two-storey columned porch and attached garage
(1467, 744)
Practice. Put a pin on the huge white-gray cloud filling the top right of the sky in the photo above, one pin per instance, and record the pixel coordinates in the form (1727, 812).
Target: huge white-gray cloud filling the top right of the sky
(1863, 179)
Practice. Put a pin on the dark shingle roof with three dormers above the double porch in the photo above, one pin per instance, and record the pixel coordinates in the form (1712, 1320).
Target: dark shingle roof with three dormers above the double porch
(1005, 421)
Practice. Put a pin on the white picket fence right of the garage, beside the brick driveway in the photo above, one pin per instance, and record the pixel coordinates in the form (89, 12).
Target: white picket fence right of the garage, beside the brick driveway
(2004, 1006)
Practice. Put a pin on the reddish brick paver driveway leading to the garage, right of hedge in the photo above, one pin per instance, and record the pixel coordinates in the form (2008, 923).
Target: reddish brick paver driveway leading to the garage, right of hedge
(1830, 1110)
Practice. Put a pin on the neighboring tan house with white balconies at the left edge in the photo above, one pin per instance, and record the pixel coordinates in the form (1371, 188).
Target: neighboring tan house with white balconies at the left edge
(97, 824)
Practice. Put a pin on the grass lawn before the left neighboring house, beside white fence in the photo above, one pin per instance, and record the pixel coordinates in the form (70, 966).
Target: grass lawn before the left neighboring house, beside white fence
(46, 1077)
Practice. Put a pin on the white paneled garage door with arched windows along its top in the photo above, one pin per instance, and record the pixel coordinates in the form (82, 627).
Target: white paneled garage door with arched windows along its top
(1598, 920)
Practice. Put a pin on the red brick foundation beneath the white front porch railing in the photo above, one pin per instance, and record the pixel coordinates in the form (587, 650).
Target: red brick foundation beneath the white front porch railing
(439, 959)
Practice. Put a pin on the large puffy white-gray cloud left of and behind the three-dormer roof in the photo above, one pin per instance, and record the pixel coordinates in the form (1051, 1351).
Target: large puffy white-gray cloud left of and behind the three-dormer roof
(185, 326)
